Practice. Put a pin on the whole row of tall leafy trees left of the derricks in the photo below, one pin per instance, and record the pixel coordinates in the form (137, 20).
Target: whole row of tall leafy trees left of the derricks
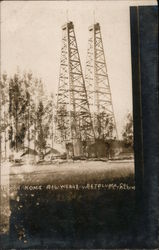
(26, 114)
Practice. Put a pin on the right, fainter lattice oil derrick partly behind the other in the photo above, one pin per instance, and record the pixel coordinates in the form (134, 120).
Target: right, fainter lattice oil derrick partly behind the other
(98, 88)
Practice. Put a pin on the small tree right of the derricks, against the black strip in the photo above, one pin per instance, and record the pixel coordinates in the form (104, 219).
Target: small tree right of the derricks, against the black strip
(128, 130)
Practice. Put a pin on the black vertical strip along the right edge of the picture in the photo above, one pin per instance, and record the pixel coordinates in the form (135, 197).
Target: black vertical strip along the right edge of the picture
(144, 45)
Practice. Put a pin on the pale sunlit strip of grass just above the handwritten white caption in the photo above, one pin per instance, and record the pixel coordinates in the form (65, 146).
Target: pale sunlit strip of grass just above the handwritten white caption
(78, 172)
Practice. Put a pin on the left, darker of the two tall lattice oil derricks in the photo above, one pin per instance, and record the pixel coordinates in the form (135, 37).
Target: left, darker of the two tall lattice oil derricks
(73, 118)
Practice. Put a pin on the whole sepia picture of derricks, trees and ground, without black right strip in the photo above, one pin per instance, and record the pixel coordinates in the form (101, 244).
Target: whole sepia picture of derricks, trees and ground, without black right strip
(66, 125)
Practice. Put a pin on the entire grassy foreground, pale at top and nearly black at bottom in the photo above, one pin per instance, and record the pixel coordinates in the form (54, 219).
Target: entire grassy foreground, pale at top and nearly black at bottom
(69, 217)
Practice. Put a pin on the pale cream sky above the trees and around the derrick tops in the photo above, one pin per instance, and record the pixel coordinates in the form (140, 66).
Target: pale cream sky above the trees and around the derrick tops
(31, 40)
